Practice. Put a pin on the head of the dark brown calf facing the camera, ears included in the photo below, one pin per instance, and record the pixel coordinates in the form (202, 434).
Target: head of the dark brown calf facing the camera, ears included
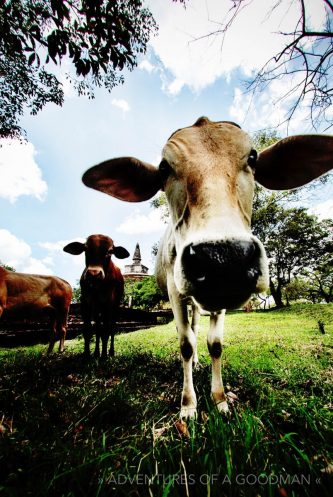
(98, 251)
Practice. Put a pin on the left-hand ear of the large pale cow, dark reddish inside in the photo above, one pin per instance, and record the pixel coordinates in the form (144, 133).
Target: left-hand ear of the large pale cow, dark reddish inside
(125, 178)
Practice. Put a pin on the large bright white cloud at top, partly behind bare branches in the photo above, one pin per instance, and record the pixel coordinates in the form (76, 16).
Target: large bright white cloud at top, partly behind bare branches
(197, 60)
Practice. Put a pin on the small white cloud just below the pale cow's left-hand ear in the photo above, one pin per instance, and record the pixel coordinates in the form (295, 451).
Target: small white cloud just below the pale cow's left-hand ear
(139, 223)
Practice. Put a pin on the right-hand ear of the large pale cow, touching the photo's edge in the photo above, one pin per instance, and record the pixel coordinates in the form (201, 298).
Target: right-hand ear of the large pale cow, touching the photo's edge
(294, 161)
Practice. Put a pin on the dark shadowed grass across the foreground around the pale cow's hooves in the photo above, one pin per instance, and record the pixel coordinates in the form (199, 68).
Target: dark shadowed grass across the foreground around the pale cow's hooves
(103, 428)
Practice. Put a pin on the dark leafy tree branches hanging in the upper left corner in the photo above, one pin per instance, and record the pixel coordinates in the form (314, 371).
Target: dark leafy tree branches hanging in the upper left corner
(99, 37)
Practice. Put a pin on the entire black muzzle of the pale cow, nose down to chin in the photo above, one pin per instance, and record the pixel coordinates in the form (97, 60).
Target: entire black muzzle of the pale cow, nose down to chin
(222, 275)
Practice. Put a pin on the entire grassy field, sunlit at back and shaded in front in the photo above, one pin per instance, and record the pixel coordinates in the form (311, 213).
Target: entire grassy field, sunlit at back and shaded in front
(72, 428)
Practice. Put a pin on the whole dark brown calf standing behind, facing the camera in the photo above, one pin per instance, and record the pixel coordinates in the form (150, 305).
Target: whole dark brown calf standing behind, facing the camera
(102, 288)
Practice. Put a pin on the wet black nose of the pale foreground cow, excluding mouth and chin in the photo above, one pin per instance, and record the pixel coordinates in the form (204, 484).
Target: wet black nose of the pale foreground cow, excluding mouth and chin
(232, 262)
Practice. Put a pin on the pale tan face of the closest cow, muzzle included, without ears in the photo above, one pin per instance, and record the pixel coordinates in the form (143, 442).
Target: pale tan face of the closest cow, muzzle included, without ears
(209, 183)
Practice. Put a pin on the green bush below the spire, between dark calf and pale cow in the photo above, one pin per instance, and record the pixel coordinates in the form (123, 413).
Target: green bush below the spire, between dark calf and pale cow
(144, 294)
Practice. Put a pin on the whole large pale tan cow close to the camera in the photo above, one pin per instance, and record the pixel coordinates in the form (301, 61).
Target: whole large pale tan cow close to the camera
(208, 255)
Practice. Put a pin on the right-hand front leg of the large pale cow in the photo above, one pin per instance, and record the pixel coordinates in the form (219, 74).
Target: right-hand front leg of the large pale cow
(214, 342)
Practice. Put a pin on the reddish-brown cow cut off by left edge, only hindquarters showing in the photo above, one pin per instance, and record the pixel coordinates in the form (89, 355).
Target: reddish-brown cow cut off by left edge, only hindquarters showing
(25, 295)
